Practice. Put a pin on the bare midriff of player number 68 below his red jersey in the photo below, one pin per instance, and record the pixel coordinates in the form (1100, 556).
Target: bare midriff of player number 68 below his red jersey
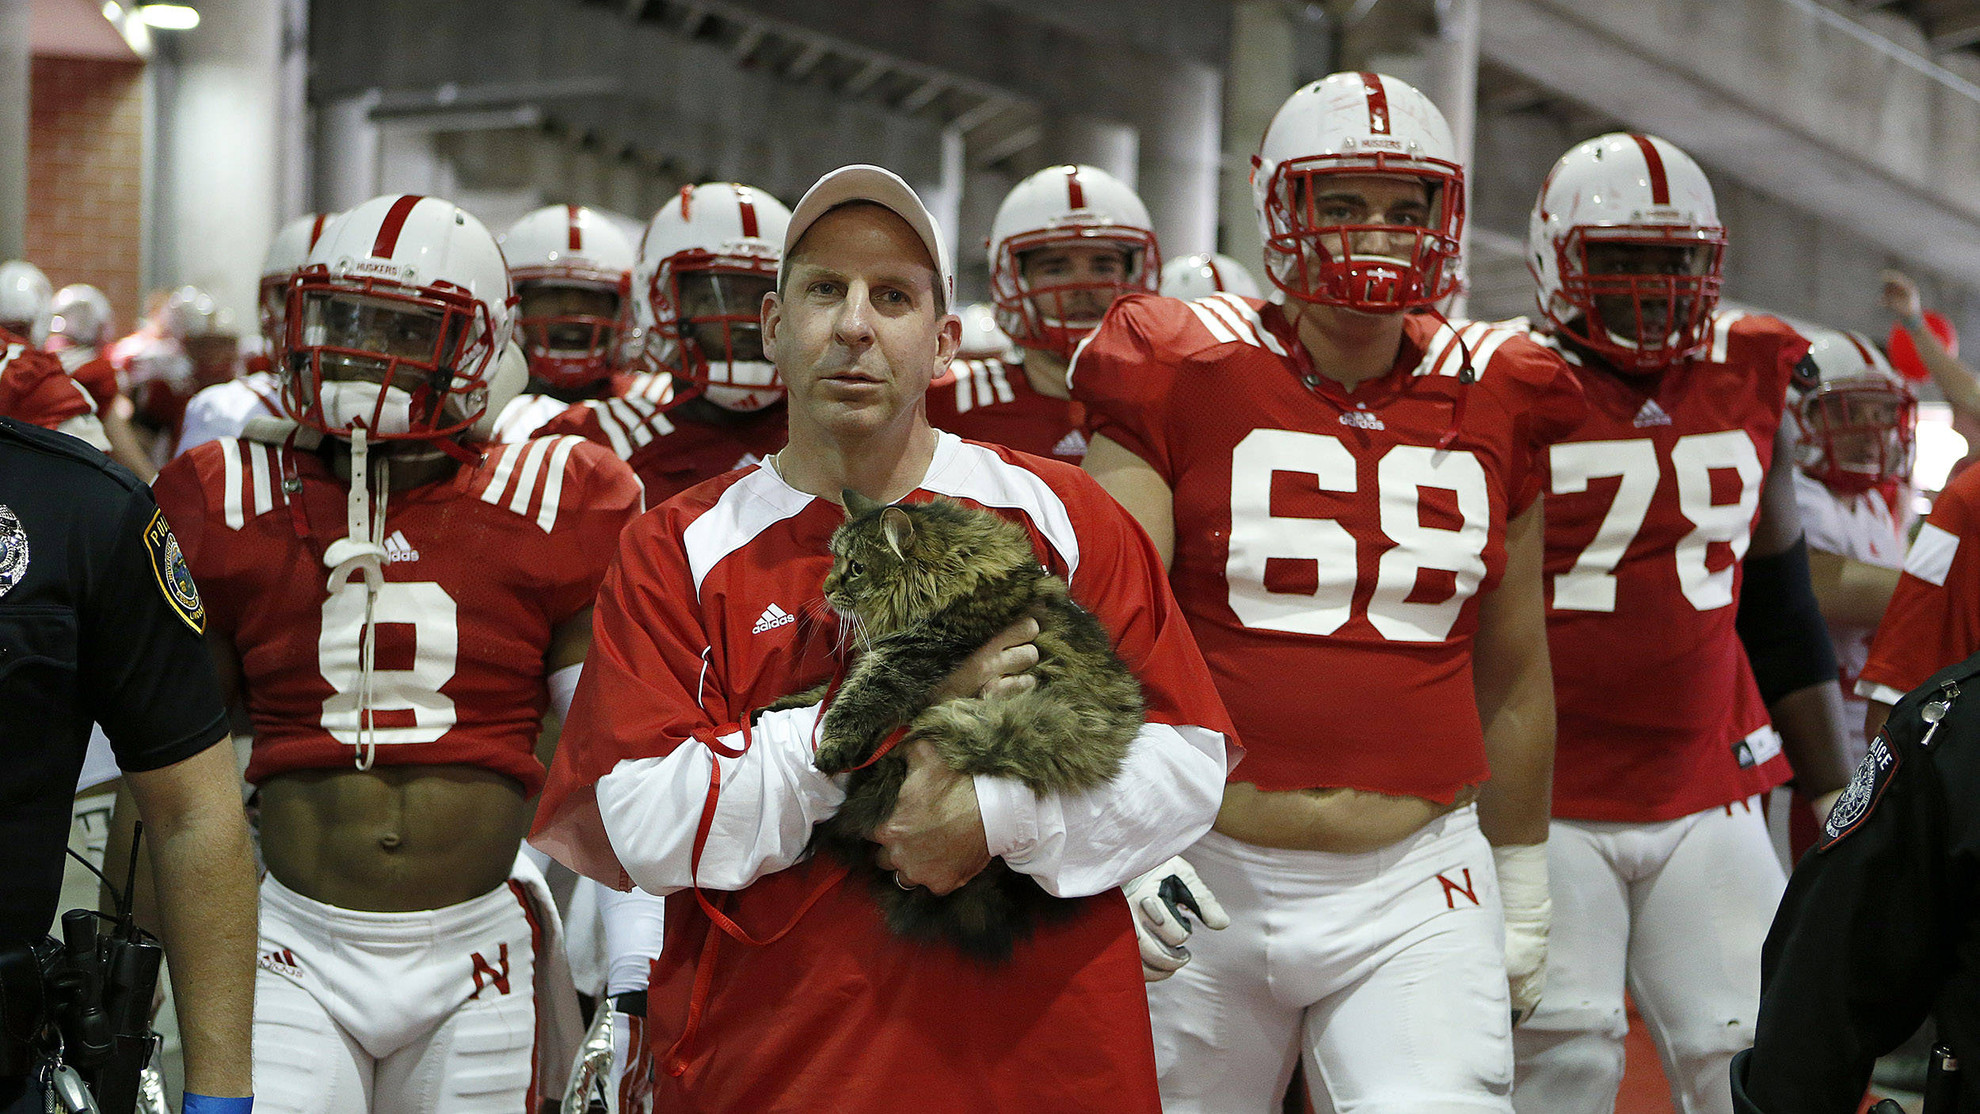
(1328, 818)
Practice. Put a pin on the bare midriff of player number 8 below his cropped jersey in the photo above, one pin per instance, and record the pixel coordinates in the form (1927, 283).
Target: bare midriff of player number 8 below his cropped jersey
(393, 840)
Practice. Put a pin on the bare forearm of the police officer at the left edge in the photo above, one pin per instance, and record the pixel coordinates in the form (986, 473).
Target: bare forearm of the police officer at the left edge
(207, 905)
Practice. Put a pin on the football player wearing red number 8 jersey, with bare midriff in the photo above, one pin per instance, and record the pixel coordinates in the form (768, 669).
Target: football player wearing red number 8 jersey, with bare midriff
(399, 603)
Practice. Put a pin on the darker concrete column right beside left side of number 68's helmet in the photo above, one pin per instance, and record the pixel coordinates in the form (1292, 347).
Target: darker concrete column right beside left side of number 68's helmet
(1256, 82)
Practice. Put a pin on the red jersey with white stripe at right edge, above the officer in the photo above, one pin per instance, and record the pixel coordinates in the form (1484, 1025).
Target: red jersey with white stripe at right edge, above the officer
(1935, 614)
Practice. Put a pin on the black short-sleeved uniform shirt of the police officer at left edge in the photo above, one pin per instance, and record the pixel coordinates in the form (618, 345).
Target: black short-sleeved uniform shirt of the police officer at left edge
(100, 622)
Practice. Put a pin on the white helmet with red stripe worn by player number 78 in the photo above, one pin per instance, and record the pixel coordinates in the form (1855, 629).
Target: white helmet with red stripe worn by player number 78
(1627, 250)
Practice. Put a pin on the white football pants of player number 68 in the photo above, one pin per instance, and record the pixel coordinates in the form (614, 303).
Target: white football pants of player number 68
(1383, 971)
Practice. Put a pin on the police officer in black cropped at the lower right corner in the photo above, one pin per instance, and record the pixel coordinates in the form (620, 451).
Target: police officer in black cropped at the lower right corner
(1882, 921)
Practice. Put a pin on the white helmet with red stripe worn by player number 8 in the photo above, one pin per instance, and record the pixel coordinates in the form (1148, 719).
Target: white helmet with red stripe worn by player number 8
(395, 322)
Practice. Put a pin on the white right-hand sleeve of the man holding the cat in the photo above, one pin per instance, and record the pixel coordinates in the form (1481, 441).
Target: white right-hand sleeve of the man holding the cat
(1082, 844)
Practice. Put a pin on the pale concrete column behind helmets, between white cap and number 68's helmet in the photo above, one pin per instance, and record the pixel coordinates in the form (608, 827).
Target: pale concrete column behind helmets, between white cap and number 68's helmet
(1181, 139)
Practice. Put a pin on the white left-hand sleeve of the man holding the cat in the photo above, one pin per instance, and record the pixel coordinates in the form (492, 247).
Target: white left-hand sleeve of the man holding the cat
(769, 802)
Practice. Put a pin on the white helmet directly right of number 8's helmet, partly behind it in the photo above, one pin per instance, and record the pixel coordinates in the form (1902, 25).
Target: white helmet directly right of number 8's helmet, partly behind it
(571, 337)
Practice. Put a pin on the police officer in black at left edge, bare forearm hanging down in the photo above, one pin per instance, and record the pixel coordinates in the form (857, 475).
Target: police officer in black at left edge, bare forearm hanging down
(100, 622)
